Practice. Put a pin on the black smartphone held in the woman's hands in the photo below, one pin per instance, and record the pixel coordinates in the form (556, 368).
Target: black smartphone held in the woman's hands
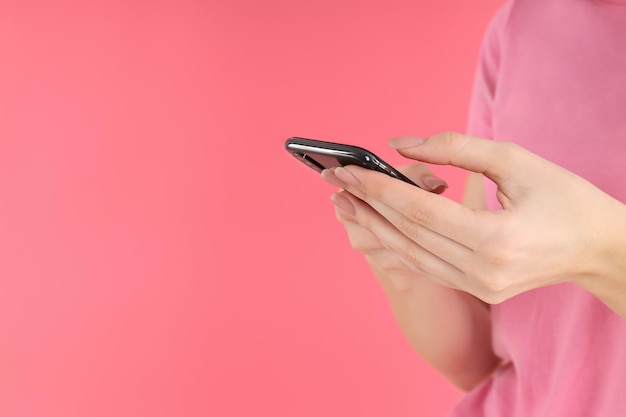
(320, 155)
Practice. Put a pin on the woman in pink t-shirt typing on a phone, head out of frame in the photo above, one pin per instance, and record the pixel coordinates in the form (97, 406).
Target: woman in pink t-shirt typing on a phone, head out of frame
(519, 295)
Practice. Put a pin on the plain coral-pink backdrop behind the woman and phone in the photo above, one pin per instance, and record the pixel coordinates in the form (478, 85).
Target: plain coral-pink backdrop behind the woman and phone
(160, 253)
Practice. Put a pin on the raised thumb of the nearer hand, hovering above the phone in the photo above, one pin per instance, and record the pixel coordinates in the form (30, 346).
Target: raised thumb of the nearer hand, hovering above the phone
(496, 160)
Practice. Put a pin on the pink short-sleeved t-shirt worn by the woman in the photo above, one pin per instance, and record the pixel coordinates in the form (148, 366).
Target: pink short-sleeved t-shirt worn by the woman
(552, 77)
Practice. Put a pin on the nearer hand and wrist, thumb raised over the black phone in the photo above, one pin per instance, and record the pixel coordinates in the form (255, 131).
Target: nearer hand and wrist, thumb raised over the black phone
(553, 227)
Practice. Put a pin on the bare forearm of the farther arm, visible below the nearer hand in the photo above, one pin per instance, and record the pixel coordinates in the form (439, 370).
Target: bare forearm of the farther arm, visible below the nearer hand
(450, 329)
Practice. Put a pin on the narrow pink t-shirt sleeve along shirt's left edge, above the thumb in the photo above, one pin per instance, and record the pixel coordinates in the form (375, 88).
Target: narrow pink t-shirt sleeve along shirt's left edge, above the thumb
(480, 120)
